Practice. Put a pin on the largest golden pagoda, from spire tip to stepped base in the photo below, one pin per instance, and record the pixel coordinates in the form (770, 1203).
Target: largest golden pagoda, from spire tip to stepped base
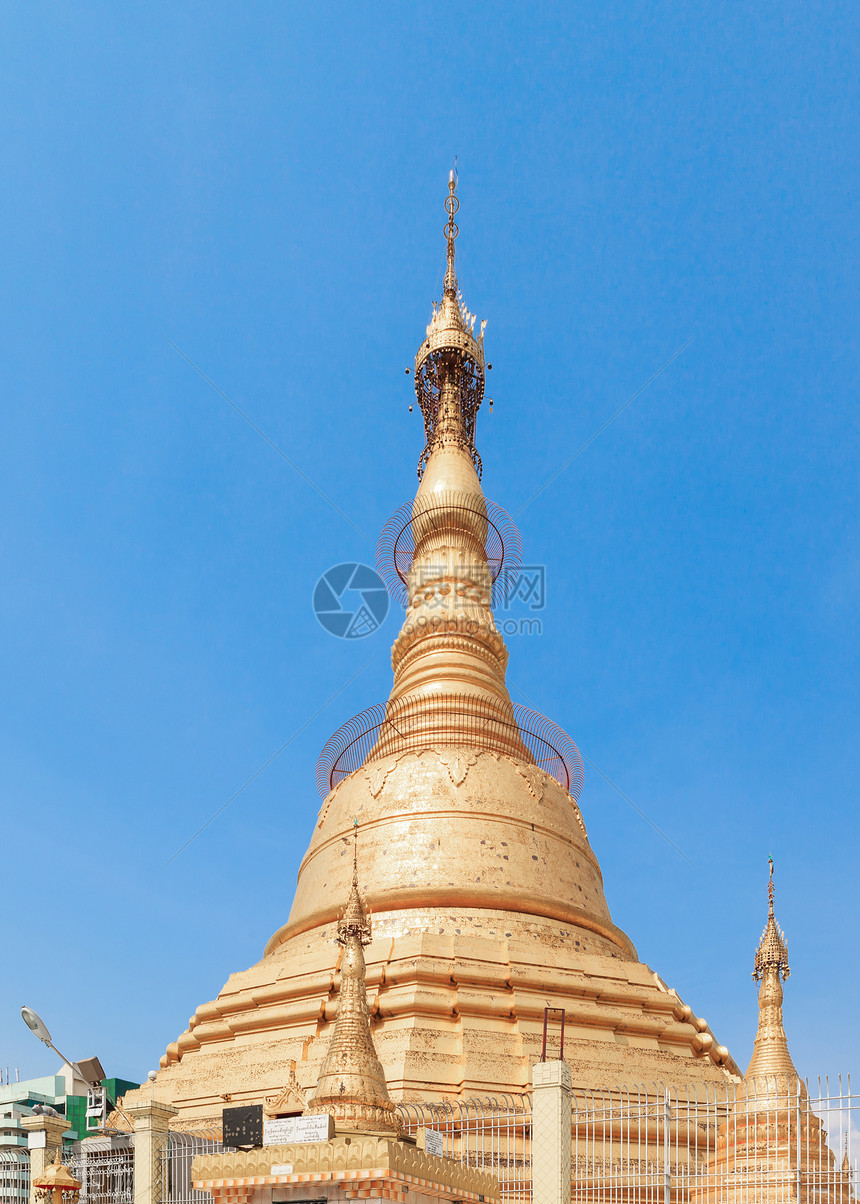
(487, 898)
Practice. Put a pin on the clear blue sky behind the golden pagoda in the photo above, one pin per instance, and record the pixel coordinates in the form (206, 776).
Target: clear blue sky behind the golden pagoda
(262, 186)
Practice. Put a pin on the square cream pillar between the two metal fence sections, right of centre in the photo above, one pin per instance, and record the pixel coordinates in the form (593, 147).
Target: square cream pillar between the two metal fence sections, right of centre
(551, 1134)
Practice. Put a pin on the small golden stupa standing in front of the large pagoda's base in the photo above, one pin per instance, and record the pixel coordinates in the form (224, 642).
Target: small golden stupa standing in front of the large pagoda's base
(352, 1084)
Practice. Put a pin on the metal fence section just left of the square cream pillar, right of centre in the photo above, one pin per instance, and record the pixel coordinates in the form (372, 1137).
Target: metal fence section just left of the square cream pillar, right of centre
(492, 1135)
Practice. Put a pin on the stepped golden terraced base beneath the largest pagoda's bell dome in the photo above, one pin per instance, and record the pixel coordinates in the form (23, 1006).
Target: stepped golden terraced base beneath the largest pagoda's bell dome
(455, 1016)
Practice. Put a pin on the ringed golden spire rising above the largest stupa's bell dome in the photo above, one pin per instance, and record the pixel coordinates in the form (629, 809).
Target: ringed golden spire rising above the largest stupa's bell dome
(450, 658)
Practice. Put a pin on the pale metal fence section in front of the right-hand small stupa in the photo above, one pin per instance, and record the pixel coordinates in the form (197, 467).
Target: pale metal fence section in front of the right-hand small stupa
(768, 1143)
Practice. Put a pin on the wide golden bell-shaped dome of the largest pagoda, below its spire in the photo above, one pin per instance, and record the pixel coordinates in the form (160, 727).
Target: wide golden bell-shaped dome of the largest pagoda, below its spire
(453, 833)
